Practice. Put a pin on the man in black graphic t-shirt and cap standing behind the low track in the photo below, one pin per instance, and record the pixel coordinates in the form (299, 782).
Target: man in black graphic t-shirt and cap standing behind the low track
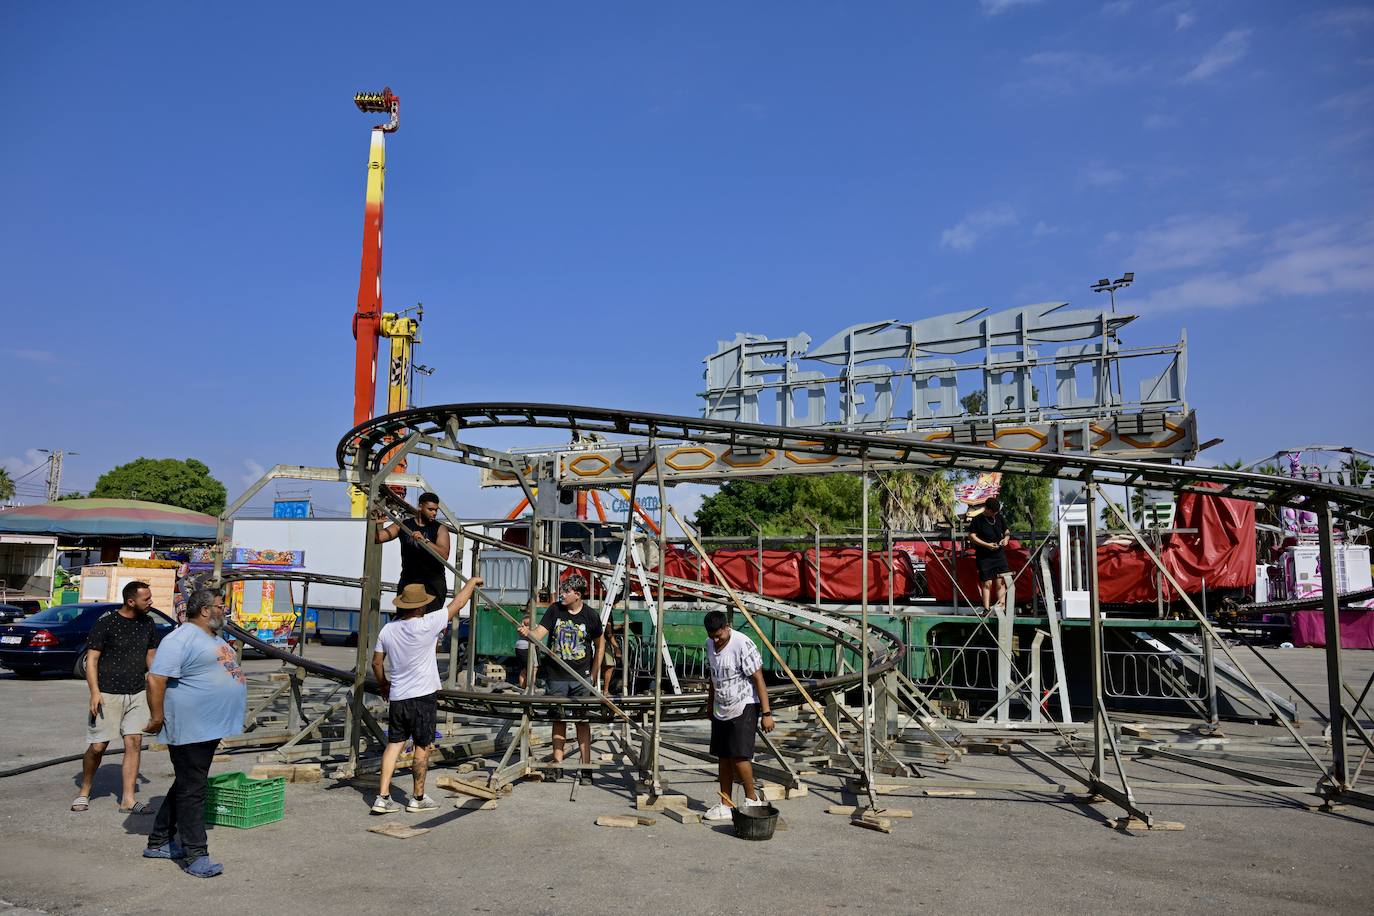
(575, 635)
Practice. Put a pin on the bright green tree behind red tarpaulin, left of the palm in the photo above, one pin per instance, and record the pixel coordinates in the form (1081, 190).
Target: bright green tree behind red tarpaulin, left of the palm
(782, 505)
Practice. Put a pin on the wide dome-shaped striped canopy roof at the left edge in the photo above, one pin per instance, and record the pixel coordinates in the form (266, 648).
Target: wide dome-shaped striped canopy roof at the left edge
(109, 518)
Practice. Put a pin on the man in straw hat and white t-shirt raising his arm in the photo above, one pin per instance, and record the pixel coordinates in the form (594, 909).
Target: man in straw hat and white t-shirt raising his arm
(407, 648)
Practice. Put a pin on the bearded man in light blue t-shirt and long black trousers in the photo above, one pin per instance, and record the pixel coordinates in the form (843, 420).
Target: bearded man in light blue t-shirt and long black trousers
(197, 696)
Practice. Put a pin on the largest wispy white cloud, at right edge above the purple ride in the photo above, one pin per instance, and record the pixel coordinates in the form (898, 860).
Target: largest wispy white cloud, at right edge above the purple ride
(1295, 262)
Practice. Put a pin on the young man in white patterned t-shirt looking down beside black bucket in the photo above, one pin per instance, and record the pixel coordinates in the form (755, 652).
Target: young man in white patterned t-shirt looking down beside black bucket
(739, 697)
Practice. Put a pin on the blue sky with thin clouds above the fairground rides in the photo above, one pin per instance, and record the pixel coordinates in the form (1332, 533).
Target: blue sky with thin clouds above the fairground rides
(587, 197)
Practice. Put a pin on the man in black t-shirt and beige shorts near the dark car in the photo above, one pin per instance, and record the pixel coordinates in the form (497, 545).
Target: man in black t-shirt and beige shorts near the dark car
(119, 654)
